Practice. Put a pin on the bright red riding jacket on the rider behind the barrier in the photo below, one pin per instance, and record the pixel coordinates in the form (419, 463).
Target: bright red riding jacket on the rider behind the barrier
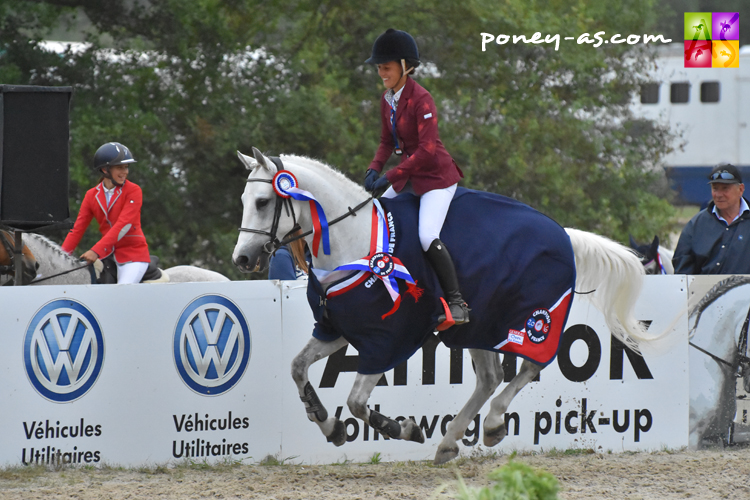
(120, 224)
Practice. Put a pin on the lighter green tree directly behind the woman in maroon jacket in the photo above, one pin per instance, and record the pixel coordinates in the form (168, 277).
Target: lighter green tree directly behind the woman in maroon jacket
(551, 127)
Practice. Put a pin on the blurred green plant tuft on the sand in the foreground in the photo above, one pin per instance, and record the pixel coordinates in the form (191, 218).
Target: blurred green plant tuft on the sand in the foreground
(513, 481)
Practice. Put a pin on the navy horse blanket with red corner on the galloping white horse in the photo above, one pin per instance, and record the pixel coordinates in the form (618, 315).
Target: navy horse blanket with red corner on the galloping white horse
(512, 262)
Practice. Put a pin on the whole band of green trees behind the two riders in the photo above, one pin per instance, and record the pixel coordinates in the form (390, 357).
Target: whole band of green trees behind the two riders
(186, 84)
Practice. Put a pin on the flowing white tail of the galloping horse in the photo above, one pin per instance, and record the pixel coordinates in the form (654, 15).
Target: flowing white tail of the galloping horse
(616, 274)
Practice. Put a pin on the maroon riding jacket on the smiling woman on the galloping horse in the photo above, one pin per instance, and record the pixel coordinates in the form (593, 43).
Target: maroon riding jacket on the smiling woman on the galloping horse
(425, 162)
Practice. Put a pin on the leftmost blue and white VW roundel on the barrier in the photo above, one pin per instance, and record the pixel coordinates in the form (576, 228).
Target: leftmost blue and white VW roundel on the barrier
(63, 350)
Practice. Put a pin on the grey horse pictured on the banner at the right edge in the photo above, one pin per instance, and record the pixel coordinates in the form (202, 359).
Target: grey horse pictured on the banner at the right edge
(716, 325)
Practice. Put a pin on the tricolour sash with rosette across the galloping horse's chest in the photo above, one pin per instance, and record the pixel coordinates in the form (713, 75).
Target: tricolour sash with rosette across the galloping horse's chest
(380, 263)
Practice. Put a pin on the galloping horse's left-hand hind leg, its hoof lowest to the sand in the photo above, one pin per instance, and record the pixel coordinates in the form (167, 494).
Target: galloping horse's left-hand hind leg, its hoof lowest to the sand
(489, 373)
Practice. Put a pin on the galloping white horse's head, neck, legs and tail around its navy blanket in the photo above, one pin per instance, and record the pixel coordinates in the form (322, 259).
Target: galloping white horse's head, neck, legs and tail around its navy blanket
(612, 269)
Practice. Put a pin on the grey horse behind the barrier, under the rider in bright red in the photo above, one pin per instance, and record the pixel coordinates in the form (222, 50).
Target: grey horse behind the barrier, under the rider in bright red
(53, 260)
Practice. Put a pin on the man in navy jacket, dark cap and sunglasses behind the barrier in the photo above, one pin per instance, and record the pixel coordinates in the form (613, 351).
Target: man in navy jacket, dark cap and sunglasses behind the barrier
(717, 239)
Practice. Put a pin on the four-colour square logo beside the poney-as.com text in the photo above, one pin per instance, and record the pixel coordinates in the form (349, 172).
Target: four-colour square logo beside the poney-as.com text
(712, 39)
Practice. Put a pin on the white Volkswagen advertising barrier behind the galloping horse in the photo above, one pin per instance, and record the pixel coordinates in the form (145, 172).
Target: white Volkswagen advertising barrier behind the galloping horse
(156, 373)
